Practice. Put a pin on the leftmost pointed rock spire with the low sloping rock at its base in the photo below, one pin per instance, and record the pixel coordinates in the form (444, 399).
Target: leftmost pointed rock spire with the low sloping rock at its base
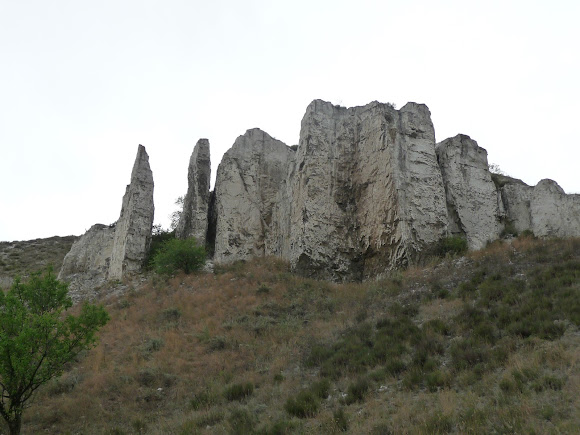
(110, 252)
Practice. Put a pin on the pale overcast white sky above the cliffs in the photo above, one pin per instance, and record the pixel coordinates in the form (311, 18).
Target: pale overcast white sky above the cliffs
(82, 83)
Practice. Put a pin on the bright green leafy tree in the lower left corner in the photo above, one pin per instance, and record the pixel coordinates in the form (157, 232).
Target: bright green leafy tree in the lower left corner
(38, 338)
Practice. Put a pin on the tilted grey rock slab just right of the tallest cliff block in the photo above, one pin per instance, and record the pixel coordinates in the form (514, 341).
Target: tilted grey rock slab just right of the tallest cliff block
(472, 198)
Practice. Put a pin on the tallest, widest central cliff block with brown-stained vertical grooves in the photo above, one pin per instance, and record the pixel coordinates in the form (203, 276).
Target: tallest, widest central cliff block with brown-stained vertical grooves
(367, 193)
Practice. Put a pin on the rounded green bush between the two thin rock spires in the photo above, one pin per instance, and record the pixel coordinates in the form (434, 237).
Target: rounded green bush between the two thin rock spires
(179, 255)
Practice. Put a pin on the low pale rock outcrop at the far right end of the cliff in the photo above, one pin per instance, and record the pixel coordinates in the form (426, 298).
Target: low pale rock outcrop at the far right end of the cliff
(545, 209)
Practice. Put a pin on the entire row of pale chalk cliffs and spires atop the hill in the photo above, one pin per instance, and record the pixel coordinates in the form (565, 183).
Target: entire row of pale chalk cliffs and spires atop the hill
(366, 190)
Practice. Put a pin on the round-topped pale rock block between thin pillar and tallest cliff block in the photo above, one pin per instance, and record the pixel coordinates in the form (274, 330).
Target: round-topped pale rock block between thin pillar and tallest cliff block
(249, 180)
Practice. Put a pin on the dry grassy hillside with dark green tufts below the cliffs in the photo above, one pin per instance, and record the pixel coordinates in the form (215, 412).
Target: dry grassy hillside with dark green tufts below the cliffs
(487, 343)
